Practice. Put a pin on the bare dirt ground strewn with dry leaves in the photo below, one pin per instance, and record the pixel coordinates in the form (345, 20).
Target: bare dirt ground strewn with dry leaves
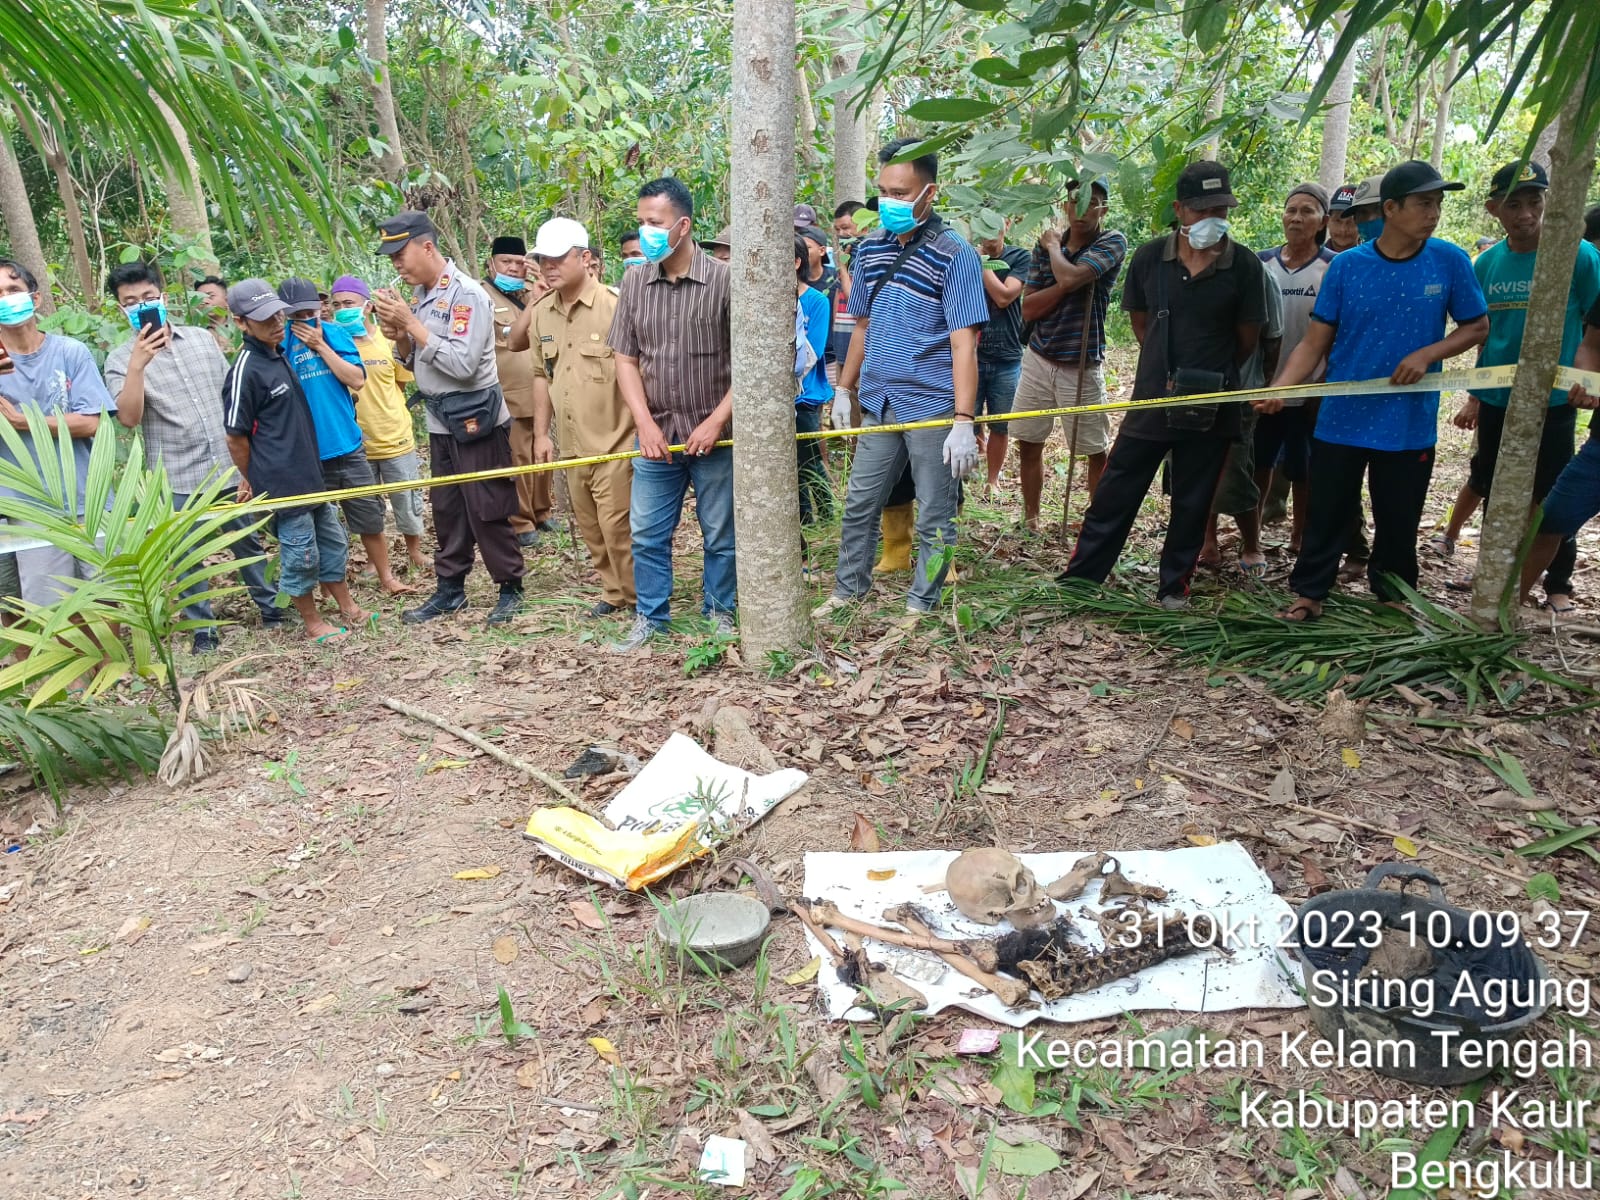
(274, 985)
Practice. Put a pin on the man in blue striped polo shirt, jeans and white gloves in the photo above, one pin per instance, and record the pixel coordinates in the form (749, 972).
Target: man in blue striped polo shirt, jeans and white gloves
(919, 302)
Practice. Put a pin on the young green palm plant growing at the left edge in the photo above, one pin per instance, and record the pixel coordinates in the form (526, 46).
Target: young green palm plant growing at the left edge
(148, 562)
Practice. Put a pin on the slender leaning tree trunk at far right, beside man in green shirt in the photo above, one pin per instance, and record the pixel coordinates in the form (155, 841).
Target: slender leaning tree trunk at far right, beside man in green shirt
(1506, 521)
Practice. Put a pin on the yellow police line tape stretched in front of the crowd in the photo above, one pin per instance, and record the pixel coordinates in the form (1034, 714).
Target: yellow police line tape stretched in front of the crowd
(1439, 382)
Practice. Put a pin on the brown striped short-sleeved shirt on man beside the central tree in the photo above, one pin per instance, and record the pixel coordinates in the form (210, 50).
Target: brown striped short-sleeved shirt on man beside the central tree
(682, 338)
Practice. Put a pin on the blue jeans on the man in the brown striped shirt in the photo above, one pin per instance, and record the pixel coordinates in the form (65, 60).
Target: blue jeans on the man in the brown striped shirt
(657, 508)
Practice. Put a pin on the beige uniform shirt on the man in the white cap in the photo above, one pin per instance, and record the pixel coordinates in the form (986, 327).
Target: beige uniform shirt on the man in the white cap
(572, 351)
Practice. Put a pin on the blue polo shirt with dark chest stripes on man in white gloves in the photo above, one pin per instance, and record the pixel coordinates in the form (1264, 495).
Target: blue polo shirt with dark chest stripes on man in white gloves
(938, 289)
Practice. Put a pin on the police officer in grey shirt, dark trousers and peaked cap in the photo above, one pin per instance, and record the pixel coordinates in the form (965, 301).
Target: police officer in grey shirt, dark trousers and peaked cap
(447, 340)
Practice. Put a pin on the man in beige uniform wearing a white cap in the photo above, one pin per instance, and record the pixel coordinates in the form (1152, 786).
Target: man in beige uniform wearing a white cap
(577, 372)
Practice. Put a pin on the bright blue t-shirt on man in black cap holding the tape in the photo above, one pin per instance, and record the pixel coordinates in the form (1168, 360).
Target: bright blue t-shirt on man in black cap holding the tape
(1383, 310)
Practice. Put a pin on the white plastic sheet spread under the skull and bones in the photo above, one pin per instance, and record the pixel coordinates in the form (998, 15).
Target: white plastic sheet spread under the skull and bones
(1222, 882)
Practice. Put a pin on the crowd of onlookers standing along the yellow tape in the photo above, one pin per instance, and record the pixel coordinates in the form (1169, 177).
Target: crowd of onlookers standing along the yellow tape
(297, 390)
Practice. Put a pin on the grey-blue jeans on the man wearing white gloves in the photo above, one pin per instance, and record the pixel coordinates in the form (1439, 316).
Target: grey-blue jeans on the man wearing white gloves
(879, 463)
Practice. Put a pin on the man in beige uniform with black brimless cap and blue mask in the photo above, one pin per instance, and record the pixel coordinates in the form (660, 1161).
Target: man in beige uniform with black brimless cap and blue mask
(506, 284)
